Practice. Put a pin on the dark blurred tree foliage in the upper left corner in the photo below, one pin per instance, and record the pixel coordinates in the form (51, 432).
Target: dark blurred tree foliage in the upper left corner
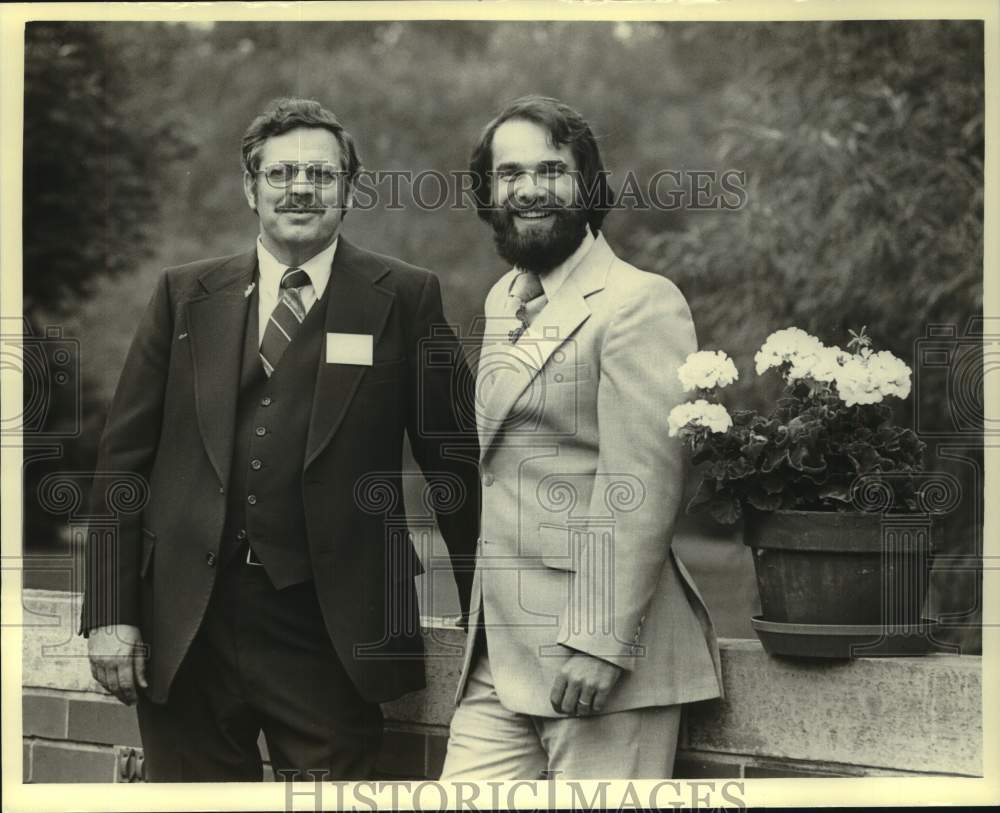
(93, 162)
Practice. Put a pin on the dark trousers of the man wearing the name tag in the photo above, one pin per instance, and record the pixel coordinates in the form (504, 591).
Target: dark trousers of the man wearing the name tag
(262, 661)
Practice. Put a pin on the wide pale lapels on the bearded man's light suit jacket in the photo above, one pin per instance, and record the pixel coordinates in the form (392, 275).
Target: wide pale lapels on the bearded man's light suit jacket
(515, 367)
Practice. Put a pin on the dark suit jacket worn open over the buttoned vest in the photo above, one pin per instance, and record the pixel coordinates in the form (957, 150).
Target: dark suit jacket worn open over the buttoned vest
(172, 422)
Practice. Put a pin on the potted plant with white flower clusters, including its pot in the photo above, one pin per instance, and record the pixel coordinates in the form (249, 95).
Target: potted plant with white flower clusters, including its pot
(826, 485)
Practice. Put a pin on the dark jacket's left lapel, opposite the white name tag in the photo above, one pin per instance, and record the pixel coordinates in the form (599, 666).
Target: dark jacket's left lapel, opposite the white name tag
(216, 324)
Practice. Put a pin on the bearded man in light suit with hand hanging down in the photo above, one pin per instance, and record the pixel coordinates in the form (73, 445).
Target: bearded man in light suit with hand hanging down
(586, 635)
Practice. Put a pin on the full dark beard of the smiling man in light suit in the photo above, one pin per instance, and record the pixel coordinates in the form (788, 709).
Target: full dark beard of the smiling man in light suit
(539, 250)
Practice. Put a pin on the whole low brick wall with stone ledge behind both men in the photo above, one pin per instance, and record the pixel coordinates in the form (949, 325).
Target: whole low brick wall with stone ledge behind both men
(884, 715)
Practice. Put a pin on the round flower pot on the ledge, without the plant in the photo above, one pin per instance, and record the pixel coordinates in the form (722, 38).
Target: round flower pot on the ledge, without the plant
(820, 573)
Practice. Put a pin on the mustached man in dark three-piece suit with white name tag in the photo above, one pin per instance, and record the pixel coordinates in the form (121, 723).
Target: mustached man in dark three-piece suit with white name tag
(267, 585)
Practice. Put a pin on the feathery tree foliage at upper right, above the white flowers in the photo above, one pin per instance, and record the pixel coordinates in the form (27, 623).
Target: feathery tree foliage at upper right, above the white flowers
(862, 145)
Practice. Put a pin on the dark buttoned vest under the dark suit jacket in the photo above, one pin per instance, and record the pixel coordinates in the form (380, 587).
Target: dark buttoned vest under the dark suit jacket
(264, 506)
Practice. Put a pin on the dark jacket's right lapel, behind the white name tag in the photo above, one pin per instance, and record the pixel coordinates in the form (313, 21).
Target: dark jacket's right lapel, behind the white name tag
(355, 305)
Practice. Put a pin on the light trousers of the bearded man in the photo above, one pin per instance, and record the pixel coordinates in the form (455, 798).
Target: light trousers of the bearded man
(490, 742)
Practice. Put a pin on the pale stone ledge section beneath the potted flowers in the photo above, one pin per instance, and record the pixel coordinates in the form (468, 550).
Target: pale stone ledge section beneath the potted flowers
(912, 714)
